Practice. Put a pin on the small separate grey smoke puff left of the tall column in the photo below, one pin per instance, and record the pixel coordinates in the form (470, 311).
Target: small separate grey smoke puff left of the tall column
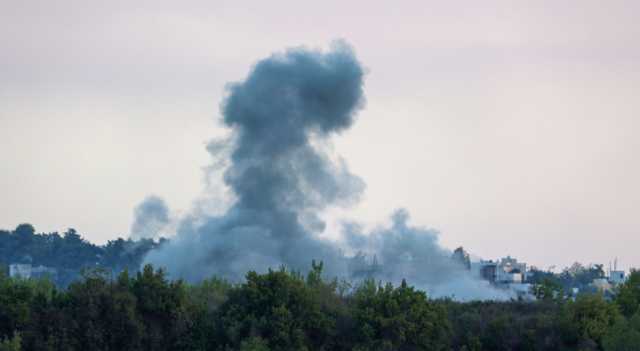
(150, 217)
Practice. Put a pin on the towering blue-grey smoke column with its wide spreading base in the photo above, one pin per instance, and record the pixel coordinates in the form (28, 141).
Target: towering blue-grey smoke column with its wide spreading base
(281, 117)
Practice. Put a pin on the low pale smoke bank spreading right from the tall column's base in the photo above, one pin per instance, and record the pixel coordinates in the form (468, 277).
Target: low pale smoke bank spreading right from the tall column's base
(413, 253)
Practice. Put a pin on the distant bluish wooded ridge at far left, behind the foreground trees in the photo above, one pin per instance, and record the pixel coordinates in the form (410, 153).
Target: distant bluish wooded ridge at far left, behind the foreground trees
(69, 253)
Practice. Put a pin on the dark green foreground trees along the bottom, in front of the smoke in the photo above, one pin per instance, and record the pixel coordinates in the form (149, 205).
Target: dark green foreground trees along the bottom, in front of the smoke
(283, 310)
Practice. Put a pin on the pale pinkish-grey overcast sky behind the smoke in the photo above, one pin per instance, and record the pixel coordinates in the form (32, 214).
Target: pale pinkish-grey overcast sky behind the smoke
(510, 126)
